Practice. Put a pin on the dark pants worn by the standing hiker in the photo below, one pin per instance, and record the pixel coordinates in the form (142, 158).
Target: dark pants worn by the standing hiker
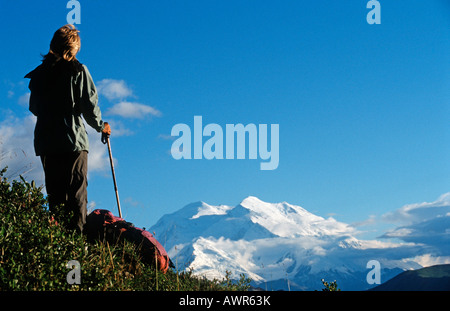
(66, 184)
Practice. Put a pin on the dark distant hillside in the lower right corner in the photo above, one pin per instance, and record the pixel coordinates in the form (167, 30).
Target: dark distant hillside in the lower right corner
(434, 278)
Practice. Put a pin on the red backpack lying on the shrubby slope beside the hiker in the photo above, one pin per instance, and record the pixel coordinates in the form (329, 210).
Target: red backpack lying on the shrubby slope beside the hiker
(103, 225)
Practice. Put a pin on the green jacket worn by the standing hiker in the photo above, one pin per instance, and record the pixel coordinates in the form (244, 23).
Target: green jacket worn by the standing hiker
(61, 93)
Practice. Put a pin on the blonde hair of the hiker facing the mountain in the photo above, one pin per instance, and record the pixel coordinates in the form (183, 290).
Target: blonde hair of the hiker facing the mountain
(65, 43)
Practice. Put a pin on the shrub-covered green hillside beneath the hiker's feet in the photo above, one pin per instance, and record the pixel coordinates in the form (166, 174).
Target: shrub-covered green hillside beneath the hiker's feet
(35, 251)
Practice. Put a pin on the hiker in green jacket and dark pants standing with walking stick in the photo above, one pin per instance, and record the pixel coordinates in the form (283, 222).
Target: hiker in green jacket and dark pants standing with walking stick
(62, 90)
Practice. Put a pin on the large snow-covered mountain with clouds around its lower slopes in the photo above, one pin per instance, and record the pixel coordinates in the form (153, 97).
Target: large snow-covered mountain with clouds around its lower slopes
(277, 245)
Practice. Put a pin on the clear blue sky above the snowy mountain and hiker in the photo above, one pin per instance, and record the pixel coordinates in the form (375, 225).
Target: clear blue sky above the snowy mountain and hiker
(363, 110)
